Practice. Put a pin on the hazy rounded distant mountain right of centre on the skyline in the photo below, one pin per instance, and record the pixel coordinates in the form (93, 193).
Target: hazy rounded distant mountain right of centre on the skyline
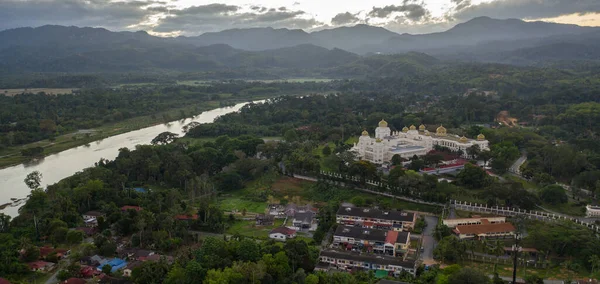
(352, 38)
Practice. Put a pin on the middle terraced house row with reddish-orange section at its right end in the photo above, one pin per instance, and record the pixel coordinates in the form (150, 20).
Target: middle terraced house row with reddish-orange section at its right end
(388, 242)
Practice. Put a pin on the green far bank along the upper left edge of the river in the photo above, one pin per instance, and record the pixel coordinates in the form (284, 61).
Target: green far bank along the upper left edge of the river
(12, 156)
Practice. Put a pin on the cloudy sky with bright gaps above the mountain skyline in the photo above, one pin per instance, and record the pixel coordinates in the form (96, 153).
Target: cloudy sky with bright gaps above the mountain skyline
(193, 17)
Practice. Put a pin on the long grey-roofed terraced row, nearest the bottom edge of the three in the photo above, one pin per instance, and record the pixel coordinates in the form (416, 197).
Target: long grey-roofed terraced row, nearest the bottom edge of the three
(349, 261)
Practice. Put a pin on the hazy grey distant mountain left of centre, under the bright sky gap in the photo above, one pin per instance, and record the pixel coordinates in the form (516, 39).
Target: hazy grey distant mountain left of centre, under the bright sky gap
(253, 39)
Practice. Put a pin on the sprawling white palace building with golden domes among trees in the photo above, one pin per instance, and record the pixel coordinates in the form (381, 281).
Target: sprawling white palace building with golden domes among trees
(409, 142)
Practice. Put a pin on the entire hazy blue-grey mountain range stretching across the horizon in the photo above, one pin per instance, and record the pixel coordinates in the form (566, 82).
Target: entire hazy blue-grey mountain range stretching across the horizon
(344, 50)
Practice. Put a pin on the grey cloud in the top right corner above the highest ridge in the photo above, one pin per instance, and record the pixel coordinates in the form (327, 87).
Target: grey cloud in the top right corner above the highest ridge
(527, 9)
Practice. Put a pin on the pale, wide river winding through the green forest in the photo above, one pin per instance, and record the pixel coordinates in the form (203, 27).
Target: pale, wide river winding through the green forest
(66, 163)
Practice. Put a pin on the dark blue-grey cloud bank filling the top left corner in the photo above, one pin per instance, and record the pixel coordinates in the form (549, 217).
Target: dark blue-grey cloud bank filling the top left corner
(104, 13)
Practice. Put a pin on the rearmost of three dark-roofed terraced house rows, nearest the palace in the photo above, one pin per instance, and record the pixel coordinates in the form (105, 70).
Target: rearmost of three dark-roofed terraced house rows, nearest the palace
(376, 218)
